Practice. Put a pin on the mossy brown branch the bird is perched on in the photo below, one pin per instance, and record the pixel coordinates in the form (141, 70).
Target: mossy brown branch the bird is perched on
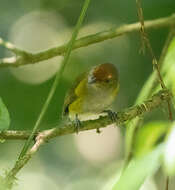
(101, 122)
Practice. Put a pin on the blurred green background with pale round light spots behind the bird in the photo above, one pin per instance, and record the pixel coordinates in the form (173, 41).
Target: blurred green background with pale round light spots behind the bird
(87, 160)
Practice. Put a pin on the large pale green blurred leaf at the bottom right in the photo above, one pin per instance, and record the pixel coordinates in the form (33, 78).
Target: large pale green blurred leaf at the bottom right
(138, 170)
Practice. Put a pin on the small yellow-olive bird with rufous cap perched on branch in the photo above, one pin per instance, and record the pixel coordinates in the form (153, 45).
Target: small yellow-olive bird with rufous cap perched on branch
(92, 93)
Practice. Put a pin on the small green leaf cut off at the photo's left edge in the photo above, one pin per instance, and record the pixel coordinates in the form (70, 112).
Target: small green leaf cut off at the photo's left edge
(4, 117)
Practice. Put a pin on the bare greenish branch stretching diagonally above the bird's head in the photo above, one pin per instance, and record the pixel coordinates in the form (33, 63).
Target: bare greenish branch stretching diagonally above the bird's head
(29, 58)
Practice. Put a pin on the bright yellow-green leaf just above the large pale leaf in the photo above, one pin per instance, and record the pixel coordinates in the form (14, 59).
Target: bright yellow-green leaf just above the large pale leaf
(148, 136)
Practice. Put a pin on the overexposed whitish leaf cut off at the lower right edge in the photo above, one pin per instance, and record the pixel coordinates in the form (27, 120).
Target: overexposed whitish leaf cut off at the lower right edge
(169, 153)
